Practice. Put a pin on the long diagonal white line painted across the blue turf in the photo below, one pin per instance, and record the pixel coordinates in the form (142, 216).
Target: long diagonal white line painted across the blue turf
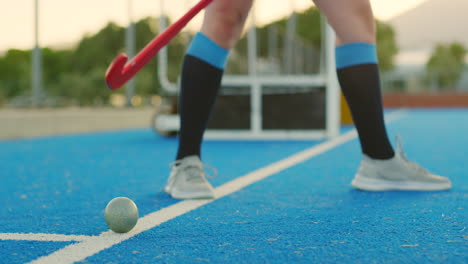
(93, 245)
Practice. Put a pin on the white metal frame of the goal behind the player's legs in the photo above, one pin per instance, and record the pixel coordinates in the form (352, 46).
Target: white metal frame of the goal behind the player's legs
(256, 82)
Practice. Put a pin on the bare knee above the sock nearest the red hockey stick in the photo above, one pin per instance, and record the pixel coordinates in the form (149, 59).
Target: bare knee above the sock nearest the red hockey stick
(224, 21)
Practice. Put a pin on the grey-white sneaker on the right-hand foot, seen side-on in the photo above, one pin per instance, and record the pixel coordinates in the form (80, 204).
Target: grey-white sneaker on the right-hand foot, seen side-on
(397, 173)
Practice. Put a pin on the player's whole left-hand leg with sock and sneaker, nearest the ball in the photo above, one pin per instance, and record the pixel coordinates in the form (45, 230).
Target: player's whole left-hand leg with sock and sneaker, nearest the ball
(202, 71)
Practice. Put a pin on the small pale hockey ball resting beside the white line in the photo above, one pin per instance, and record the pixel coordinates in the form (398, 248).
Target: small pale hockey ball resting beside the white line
(121, 214)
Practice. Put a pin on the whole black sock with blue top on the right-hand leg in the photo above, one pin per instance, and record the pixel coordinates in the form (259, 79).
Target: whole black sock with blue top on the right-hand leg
(358, 75)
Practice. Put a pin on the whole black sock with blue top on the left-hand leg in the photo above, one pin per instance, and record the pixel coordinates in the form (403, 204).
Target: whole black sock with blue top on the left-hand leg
(200, 81)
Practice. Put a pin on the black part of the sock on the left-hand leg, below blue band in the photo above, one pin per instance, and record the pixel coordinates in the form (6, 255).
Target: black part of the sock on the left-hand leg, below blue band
(199, 87)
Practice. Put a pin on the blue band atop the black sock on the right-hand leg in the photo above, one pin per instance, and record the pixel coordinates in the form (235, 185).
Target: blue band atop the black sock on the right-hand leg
(355, 54)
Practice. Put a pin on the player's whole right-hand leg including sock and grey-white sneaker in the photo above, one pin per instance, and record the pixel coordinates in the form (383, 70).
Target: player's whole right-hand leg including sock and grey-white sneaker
(358, 75)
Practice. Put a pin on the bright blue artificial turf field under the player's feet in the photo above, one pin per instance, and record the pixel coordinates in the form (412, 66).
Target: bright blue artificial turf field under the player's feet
(307, 213)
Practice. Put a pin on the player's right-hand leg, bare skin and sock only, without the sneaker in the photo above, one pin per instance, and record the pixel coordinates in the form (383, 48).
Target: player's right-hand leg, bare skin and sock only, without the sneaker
(357, 71)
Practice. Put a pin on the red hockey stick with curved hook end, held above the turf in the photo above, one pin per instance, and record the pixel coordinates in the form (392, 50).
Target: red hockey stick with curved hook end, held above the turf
(119, 72)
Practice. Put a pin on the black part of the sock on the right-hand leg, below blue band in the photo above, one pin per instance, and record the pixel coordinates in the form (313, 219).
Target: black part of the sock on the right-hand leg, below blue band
(361, 87)
